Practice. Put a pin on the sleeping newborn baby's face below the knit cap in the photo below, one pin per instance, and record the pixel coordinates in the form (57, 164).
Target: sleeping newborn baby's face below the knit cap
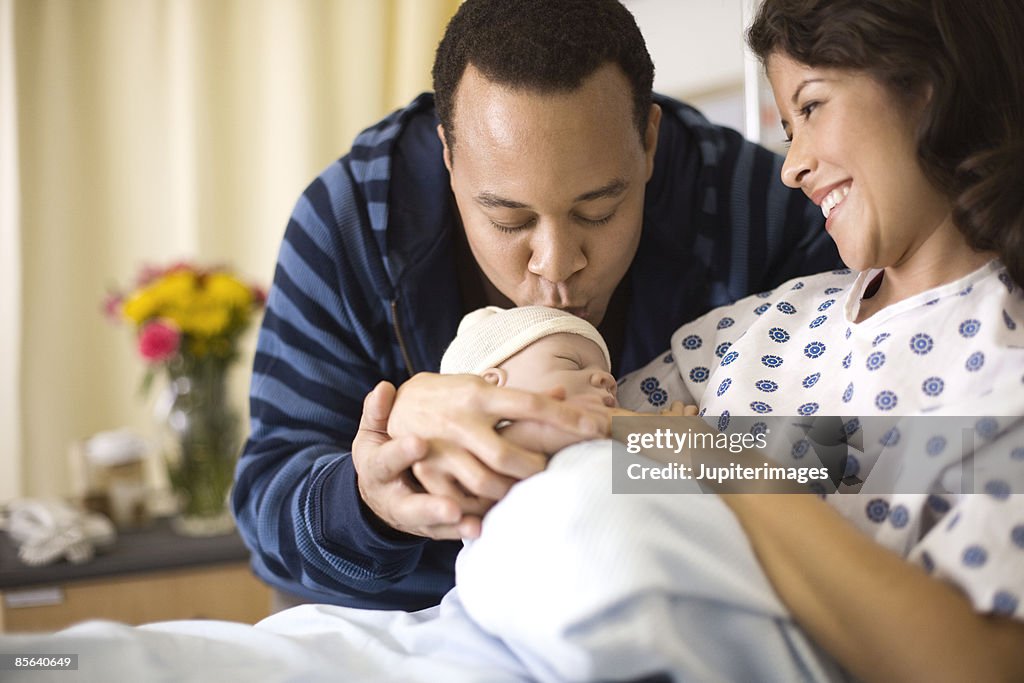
(564, 361)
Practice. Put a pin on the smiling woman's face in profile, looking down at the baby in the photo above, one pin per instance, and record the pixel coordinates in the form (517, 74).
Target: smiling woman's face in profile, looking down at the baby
(854, 152)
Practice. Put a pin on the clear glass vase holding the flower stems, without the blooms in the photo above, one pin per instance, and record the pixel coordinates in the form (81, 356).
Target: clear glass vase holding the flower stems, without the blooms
(201, 444)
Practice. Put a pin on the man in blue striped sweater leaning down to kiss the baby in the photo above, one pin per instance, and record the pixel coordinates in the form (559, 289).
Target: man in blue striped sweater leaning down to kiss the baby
(543, 172)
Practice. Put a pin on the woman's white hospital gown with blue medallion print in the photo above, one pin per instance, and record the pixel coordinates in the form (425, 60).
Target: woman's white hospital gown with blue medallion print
(955, 351)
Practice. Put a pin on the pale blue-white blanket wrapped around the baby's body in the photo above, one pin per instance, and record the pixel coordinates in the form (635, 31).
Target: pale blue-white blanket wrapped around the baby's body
(583, 584)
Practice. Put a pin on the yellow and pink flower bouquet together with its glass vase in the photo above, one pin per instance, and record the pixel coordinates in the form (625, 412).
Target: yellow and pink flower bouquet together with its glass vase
(189, 322)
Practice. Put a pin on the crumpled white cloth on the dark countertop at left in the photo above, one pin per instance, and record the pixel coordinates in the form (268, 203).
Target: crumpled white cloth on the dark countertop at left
(49, 530)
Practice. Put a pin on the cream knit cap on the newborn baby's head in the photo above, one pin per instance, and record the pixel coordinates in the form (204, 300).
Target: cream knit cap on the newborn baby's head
(490, 336)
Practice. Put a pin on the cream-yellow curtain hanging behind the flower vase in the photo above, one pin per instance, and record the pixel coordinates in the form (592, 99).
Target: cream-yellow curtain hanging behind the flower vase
(149, 132)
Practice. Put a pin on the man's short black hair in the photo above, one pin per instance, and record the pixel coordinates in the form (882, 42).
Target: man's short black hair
(546, 47)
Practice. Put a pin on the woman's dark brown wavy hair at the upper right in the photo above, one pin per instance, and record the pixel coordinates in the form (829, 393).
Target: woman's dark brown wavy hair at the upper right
(970, 56)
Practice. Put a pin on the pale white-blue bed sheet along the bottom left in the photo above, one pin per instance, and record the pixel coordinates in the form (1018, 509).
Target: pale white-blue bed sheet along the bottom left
(309, 644)
